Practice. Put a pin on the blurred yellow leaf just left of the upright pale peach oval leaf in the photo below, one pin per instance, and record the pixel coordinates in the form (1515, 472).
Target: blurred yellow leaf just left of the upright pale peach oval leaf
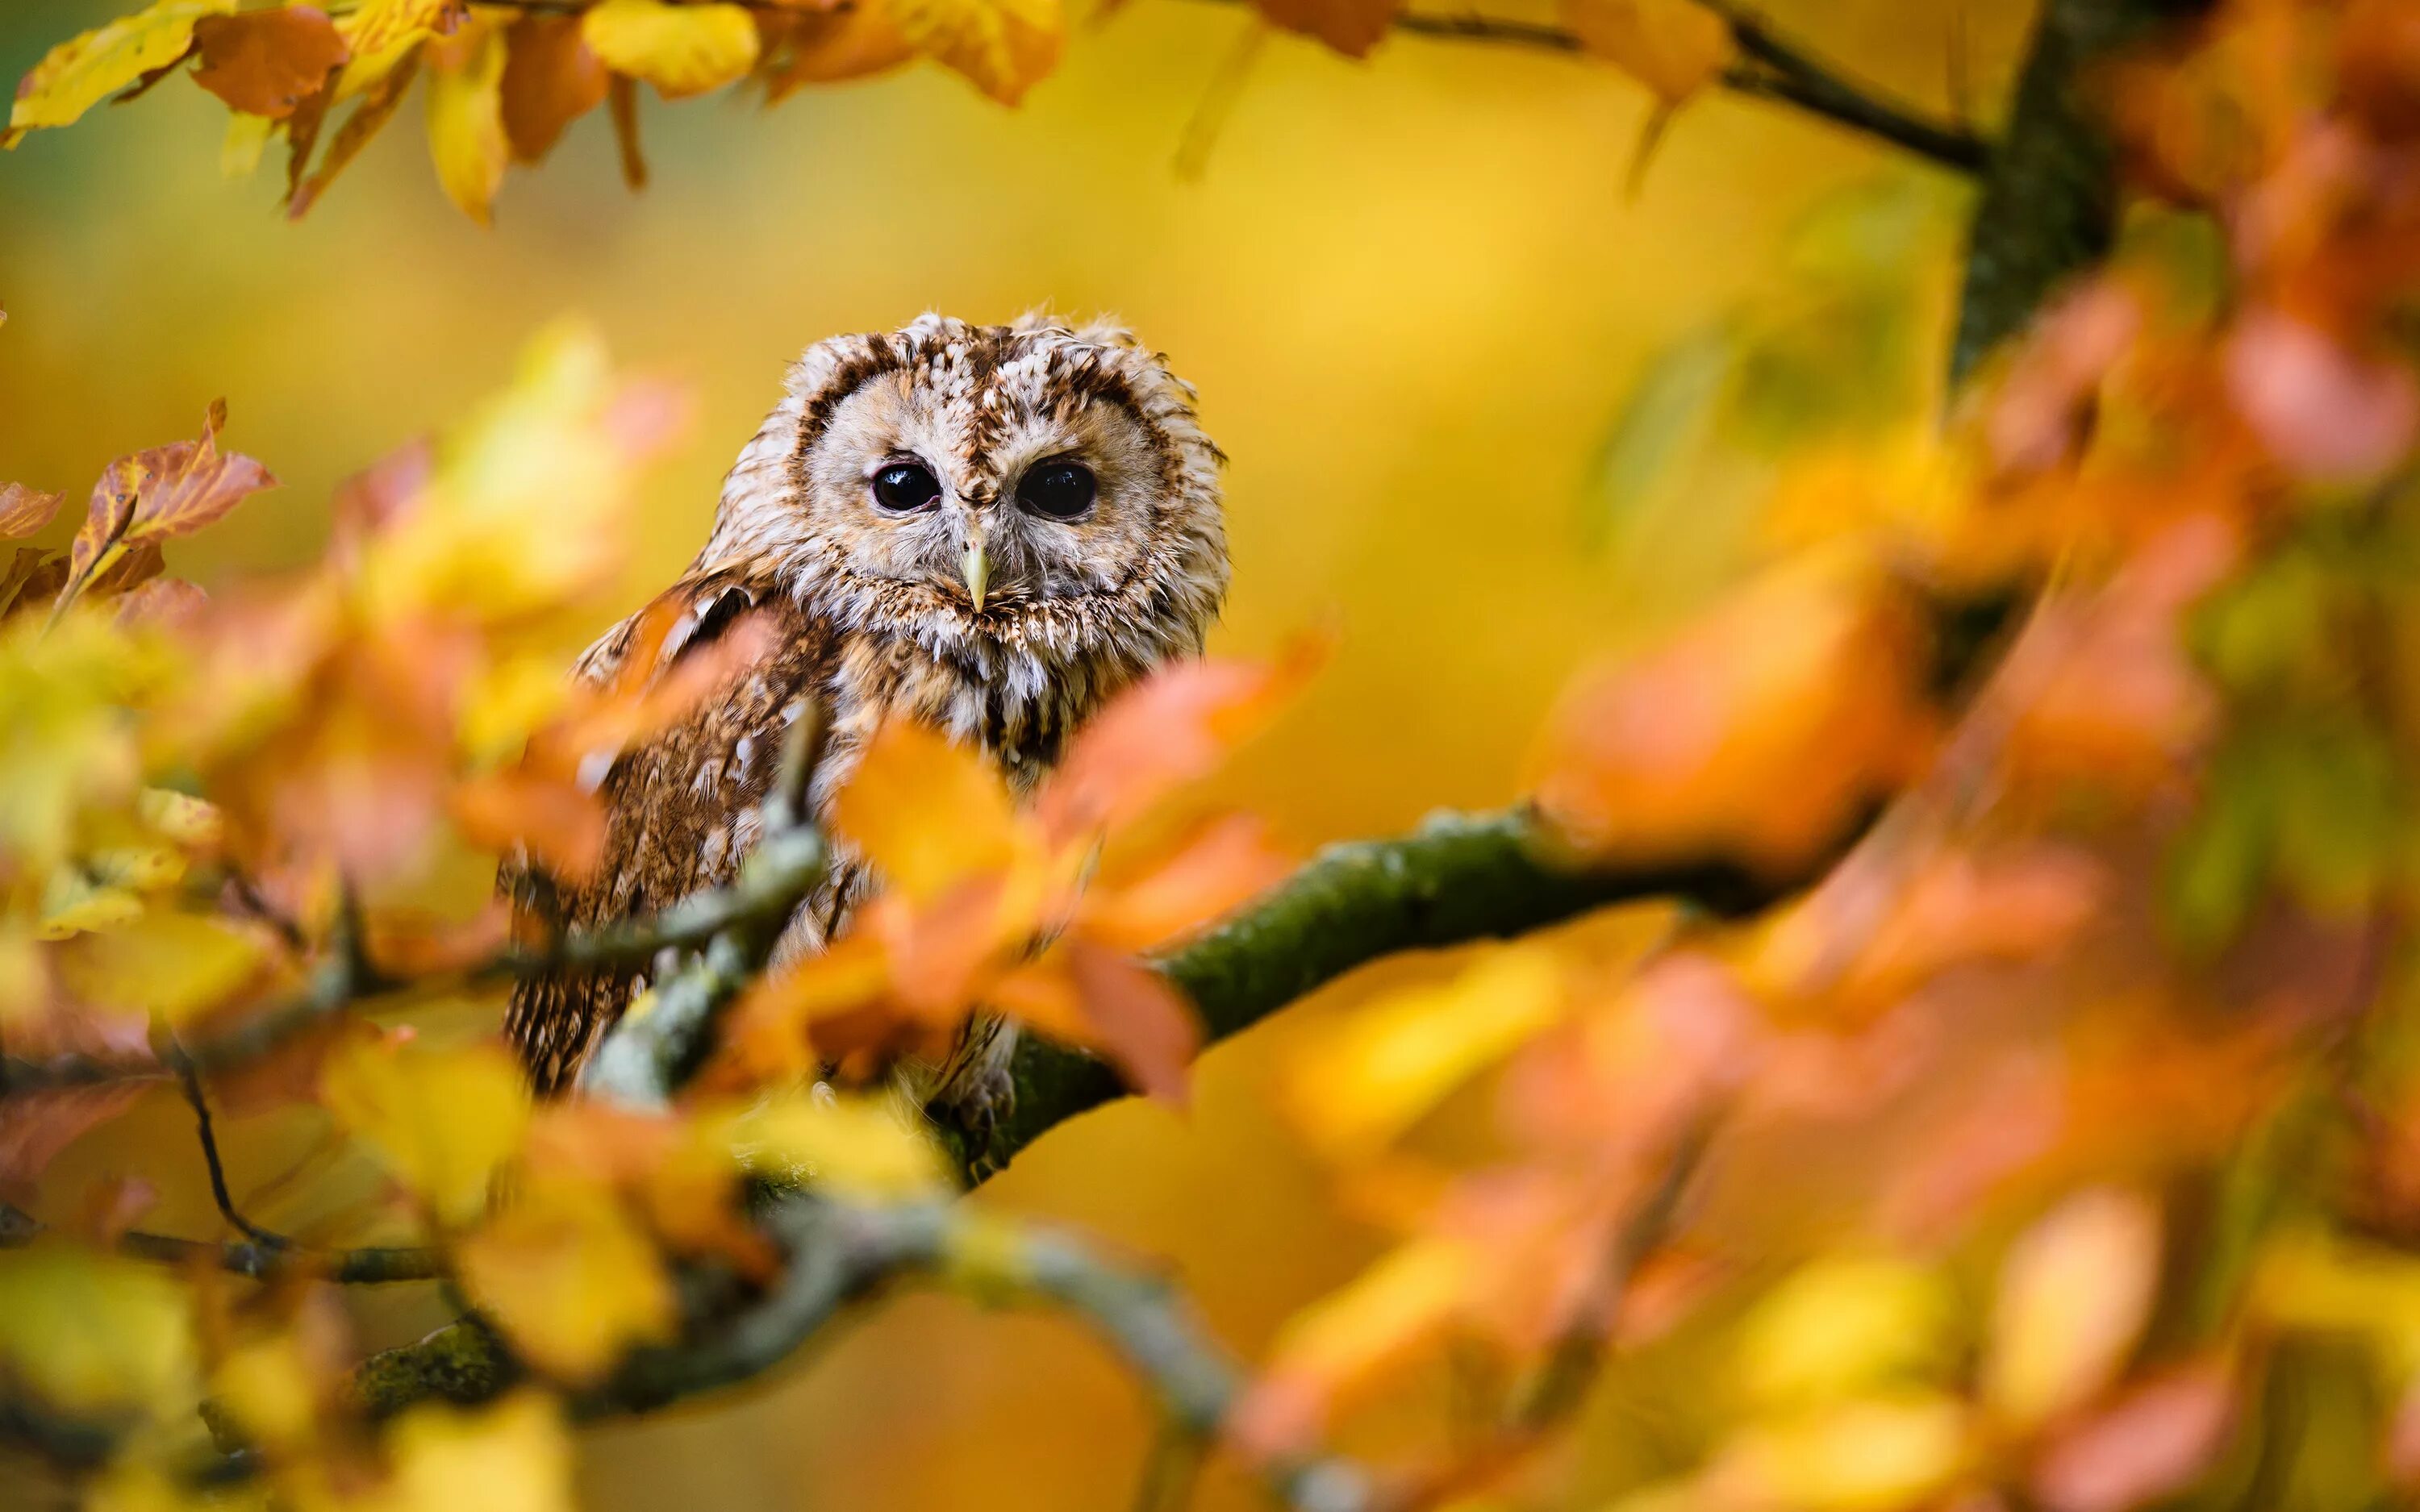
(1848, 1327)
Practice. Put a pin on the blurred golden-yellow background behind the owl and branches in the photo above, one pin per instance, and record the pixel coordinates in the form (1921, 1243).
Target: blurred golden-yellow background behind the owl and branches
(1414, 296)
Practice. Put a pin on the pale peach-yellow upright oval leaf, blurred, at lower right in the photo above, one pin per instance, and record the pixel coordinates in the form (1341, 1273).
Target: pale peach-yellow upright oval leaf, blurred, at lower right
(2075, 1295)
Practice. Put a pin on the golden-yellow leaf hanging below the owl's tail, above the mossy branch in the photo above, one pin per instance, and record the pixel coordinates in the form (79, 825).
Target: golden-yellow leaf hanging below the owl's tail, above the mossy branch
(570, 1279)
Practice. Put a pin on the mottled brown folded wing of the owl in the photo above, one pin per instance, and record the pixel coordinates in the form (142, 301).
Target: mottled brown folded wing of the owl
(679, 804)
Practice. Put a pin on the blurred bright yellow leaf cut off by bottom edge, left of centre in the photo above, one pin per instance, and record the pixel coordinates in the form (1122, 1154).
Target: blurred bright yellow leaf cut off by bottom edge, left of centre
(514, 1458)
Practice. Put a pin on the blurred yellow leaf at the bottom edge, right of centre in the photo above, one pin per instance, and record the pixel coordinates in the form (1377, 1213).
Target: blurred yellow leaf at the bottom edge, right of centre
(1853, 1458)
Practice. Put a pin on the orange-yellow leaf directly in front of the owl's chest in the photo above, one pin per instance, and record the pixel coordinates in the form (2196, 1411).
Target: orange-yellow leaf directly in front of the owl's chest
(928, 814)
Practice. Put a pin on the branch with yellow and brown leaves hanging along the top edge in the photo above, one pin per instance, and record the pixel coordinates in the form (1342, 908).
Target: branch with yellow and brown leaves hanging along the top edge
(507, 79)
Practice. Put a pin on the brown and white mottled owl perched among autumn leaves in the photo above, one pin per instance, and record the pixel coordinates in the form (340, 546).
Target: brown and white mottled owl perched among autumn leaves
(989, 531)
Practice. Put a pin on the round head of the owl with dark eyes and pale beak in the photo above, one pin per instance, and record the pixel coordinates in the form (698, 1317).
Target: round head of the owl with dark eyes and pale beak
(1018, 500)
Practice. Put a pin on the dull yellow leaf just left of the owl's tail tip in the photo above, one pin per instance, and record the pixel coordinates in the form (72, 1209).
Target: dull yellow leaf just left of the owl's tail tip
(439, 1119)
